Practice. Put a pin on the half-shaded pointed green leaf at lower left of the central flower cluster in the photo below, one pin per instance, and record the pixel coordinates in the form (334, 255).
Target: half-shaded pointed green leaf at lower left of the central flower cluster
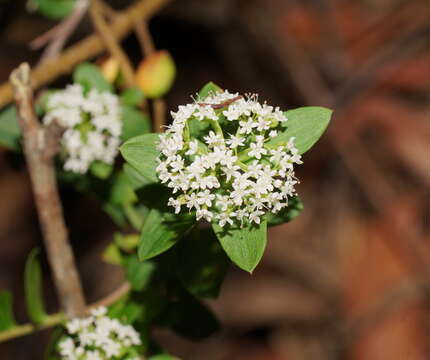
(161, 231)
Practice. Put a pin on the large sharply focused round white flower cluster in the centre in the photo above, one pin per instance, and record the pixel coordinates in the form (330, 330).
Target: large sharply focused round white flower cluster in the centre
(231, 174)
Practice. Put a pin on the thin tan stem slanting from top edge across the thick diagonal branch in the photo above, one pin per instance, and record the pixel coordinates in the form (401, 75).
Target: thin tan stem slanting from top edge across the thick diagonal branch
(104, 30)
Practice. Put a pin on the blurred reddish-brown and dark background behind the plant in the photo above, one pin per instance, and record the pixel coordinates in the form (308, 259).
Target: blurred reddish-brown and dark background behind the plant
(350, 278)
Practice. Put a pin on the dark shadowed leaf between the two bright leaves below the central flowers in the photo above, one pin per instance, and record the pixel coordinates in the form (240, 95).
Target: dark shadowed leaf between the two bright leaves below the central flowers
(201, 263)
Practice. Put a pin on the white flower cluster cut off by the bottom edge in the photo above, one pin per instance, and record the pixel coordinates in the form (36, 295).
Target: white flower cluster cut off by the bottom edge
(99, 337)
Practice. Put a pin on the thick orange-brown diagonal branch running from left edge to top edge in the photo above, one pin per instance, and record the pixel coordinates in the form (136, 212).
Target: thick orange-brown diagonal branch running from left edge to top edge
(86, 48)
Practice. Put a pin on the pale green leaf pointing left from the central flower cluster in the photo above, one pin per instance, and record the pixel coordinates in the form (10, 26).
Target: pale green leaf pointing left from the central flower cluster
(141, 153)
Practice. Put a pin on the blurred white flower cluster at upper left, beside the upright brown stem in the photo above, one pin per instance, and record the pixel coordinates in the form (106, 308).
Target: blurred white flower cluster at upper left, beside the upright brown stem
(92, 124)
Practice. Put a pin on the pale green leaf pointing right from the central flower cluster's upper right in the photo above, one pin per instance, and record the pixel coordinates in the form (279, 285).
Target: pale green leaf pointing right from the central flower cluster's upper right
(306, 124)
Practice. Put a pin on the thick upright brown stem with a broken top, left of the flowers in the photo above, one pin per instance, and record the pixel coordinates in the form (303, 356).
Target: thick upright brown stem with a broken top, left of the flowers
(39, 153)
